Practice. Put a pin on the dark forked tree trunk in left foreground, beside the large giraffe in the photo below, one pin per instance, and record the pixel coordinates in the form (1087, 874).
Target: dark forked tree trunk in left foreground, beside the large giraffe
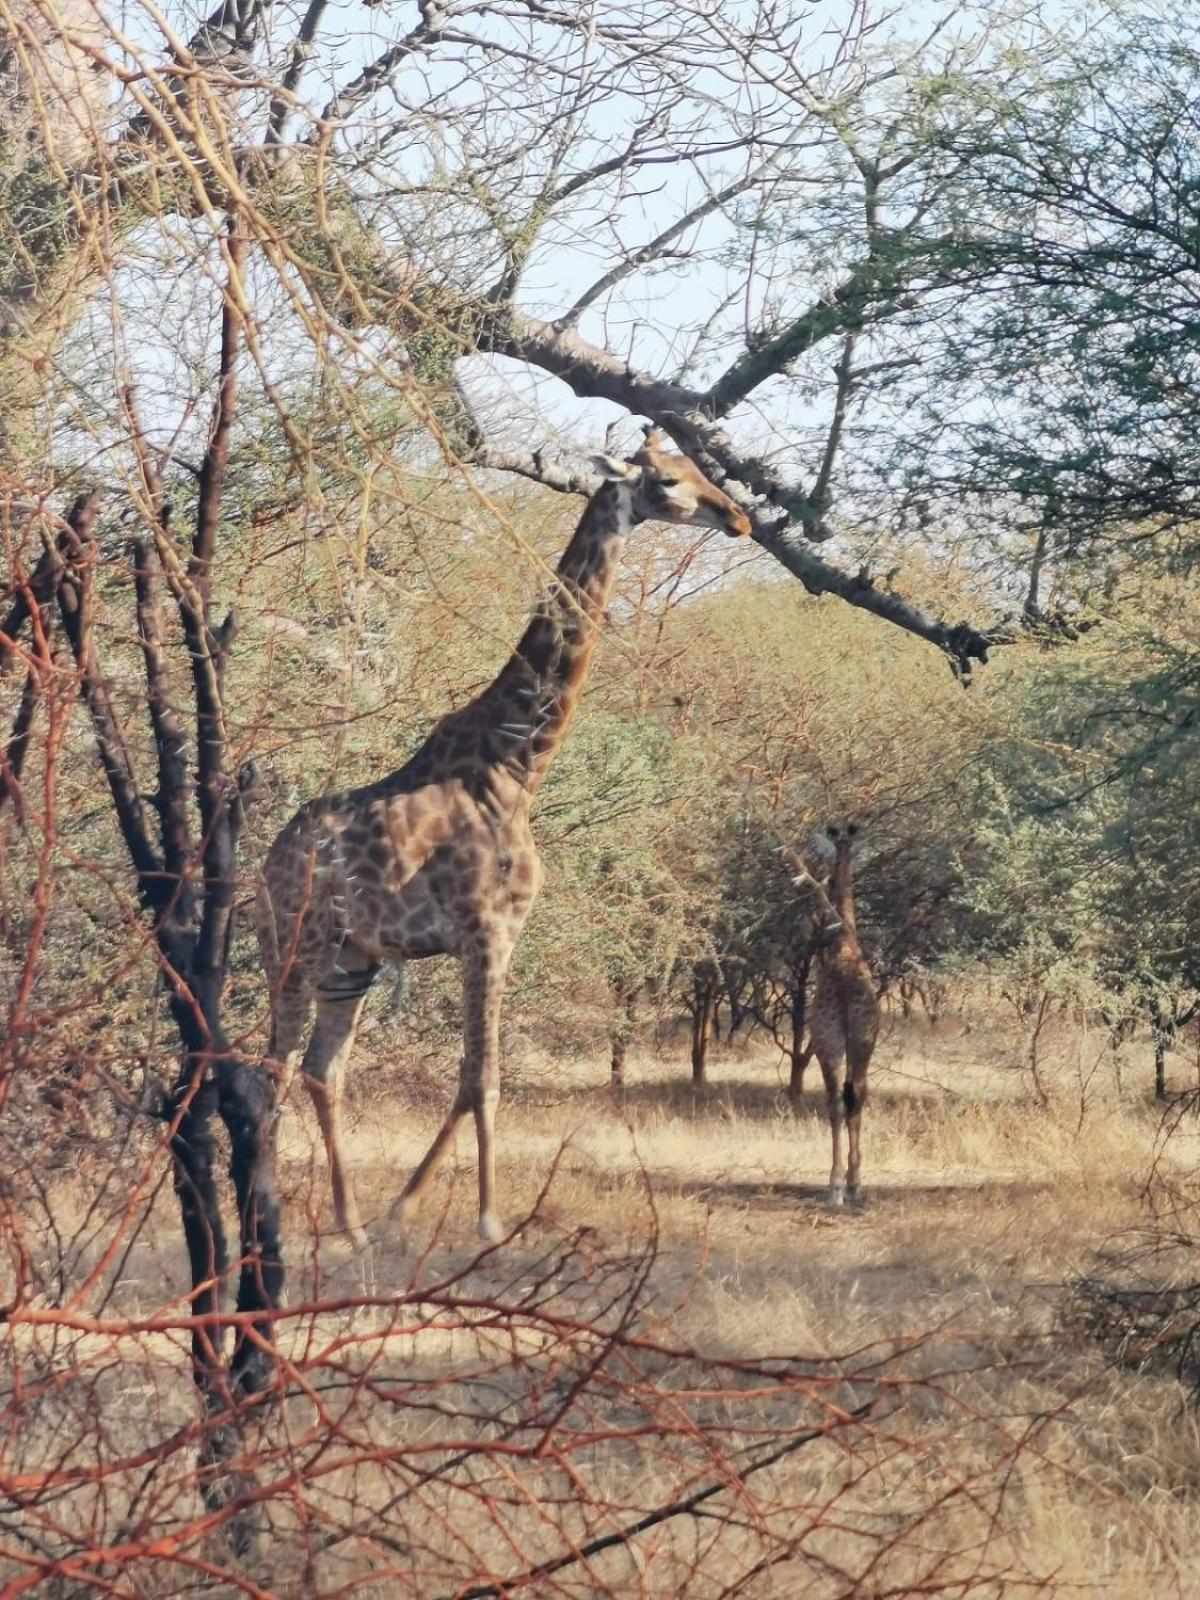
(191, 916)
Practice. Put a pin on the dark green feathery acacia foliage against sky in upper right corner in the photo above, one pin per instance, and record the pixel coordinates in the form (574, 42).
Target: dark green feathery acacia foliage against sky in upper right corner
(1084, 329)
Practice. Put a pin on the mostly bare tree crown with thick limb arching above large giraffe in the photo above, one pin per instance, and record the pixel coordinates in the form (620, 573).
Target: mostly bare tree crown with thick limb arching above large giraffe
(401, 201)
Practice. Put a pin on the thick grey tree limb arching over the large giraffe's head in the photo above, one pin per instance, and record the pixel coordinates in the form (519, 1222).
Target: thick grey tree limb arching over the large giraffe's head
(407, 302)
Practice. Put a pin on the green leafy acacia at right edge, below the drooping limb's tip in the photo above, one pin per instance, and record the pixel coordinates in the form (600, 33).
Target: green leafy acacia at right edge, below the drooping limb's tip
(1084, 865)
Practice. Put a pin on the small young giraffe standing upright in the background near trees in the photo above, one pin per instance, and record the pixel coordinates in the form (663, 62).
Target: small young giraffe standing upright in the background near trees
(844, 1023)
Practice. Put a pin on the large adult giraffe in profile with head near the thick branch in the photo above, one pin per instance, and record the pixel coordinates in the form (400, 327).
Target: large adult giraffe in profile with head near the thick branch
(439, 857)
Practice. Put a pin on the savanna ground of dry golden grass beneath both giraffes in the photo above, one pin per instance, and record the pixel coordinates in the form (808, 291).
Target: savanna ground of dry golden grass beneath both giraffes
(1001, 1454)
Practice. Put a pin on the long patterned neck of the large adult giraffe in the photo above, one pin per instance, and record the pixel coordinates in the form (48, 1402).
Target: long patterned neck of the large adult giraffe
(532, 703)
